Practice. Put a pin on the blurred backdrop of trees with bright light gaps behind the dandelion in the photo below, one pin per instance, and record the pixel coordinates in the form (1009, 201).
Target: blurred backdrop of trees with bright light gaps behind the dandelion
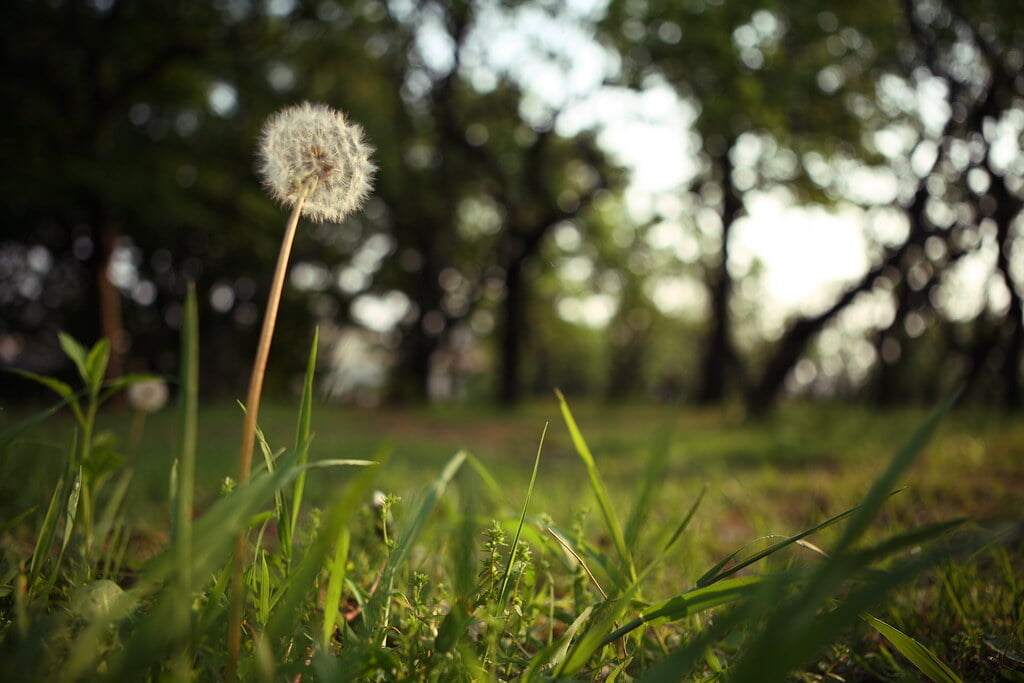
(502, 253)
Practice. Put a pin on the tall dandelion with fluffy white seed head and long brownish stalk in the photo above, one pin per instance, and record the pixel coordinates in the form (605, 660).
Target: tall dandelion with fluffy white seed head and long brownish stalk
(314, 160)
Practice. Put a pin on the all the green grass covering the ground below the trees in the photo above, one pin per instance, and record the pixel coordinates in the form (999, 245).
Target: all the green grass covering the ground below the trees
(652, 542)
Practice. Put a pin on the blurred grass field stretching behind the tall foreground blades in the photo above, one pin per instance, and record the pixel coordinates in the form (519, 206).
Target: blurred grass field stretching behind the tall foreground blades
(761, 482)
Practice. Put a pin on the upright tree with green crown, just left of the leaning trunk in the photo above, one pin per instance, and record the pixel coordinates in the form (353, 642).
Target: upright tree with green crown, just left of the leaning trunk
(751, 70)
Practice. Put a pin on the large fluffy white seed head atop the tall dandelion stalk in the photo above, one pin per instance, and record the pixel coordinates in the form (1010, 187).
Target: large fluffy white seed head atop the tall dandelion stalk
(317, 145)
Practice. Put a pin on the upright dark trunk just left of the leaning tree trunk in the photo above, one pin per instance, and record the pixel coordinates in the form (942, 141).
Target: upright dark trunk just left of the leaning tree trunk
(719, 356)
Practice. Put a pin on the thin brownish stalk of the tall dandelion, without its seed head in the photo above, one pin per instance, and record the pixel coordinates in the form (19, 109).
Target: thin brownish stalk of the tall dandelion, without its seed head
(249, 429)
